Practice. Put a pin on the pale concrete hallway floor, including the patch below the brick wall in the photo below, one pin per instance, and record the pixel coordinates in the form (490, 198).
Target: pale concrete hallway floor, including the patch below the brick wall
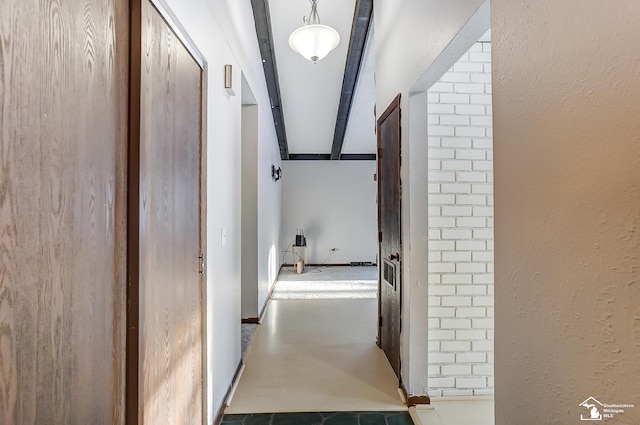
(318, 354)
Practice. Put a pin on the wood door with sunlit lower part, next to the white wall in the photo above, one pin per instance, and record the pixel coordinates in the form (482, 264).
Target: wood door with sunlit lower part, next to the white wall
(170, 347)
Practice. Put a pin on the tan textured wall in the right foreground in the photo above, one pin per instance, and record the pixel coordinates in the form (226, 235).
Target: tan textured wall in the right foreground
(566, 83)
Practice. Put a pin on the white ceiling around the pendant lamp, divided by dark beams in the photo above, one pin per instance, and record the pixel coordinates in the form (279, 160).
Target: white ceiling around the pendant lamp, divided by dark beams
(310, 93)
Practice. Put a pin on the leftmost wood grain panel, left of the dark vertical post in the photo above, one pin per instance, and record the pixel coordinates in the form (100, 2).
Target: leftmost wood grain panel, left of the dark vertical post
(63, 130)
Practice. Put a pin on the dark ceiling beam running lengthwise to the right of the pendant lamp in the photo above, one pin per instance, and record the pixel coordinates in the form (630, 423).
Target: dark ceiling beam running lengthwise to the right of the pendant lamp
(359, 31)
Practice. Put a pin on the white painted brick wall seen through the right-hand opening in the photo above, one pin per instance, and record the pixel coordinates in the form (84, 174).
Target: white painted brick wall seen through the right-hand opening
(461, 228)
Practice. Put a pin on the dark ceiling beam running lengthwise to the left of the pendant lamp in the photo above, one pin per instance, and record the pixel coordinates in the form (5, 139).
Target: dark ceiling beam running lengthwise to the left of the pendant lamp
(262, 20)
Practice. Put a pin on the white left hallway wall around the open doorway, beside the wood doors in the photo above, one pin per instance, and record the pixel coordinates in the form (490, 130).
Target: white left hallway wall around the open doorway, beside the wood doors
(224, 32)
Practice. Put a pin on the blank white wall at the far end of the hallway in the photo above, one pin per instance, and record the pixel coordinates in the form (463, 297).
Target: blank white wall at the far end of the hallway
(335, 203)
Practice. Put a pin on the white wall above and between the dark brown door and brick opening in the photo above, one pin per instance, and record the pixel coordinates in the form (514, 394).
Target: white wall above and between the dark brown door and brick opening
(416, 42)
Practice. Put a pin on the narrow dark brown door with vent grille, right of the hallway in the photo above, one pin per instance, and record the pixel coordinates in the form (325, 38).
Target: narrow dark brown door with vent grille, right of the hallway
(390, 283)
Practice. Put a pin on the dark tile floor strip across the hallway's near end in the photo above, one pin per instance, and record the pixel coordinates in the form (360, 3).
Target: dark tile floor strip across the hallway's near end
(324, 418)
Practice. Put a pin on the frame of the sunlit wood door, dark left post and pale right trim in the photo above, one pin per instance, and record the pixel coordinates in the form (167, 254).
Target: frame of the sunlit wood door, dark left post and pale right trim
(133, 201)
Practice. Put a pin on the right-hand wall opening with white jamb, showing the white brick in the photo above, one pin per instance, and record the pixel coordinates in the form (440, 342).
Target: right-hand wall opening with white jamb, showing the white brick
(451, 177)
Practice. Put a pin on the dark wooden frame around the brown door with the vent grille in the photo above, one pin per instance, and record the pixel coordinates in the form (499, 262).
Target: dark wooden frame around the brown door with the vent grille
(395, 104)
